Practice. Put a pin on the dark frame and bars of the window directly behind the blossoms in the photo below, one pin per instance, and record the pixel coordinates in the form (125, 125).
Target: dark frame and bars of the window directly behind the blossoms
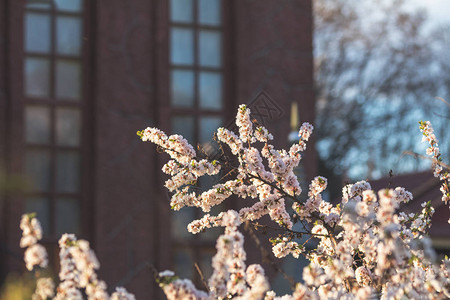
(197, 245)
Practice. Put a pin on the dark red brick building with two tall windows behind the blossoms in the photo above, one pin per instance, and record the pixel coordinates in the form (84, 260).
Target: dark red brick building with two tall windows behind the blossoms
(79, 78)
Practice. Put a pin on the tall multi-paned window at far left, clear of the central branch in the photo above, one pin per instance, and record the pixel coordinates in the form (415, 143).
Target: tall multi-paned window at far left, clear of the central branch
(53, 93)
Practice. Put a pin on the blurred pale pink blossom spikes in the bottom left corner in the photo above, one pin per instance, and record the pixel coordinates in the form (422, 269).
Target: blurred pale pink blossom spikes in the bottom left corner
(78, 267)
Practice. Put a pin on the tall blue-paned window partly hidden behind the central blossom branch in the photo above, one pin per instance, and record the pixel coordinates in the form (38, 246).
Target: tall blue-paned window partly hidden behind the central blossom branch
(196, 94)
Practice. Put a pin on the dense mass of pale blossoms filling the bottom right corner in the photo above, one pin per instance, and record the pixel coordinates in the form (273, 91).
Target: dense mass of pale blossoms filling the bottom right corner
(371, 251)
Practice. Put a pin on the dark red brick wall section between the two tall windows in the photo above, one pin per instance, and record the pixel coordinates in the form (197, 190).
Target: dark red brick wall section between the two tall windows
(125, 233)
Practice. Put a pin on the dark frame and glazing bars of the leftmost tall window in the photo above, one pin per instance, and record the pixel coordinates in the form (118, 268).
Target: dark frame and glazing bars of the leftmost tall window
(84, 105)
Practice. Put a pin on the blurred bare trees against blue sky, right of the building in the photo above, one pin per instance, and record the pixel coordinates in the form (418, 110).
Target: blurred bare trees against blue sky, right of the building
(379, 66)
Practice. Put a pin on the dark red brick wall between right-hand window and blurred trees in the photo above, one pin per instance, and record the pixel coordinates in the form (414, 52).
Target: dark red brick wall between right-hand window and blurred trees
(273, 52)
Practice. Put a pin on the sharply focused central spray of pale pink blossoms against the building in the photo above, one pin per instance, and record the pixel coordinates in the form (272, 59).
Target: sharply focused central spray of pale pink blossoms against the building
(266, 174)
